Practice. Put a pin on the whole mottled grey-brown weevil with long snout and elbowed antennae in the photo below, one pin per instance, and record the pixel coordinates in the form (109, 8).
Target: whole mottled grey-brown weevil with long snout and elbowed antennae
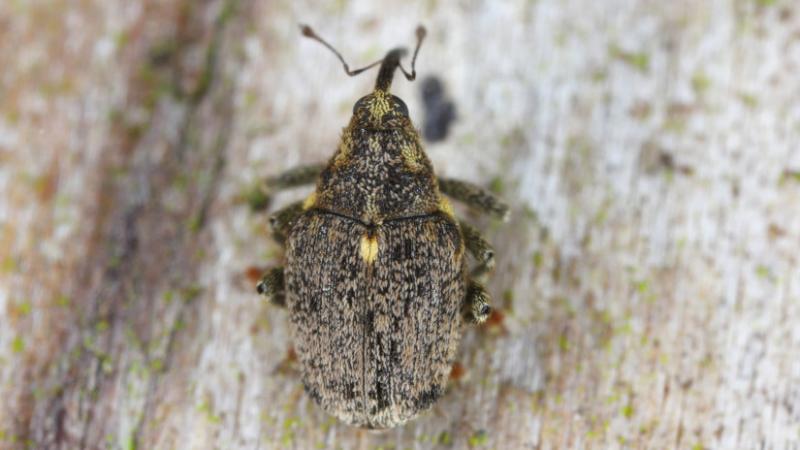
(375, 275)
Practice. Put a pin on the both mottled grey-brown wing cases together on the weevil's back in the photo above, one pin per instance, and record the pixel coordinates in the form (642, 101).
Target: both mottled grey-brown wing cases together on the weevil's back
(395, 323)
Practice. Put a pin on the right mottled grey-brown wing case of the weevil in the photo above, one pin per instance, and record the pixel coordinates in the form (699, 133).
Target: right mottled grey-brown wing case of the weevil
(412, 355)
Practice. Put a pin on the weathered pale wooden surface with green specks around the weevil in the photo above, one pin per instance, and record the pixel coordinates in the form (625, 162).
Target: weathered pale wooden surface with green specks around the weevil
(649, 275)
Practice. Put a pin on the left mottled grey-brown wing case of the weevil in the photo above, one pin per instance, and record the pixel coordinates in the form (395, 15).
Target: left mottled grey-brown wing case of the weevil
(321, 311)
